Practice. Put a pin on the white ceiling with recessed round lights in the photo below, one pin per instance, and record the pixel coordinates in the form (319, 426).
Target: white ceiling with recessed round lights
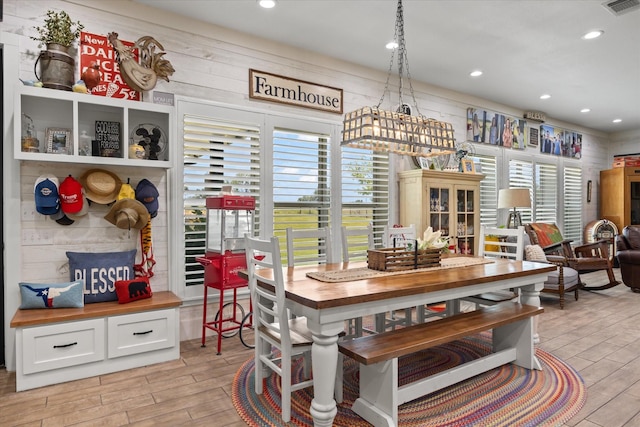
(525, 47)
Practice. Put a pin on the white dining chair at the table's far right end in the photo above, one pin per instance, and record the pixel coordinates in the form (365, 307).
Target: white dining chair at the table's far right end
(495, 242)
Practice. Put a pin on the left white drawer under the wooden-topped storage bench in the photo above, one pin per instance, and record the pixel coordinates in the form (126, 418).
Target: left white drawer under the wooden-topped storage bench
(63, 344)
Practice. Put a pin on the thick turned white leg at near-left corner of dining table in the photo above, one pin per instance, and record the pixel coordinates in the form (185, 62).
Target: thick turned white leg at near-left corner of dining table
(324, 358)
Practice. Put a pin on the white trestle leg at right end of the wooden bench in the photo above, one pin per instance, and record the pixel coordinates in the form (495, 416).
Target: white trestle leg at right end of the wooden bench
(518, 335)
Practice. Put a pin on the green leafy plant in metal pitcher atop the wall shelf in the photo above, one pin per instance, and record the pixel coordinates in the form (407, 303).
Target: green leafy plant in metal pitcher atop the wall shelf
(58, 34)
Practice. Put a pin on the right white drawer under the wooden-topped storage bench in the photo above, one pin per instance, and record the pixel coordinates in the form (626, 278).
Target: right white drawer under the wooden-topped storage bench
(141, 332)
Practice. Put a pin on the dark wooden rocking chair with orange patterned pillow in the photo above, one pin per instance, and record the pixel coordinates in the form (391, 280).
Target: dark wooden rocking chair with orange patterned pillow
(584, 258)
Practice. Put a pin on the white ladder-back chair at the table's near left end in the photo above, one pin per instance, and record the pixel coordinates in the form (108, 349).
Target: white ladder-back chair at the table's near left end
(273, 328)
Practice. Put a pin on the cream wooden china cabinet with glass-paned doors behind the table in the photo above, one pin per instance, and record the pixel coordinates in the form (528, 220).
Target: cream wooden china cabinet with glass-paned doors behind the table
(445, 201)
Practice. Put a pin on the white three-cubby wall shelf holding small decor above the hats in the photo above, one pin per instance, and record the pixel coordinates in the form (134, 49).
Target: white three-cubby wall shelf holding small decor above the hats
(81, 128)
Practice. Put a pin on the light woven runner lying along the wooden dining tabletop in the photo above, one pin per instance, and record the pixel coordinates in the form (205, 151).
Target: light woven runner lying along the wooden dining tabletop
(363, 273)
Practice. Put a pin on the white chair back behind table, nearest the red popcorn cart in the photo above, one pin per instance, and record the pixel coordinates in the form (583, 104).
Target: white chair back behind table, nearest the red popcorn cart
(308, 246)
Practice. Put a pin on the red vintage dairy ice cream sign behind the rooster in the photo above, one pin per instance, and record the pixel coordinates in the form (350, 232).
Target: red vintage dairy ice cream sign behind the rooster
(95, 48)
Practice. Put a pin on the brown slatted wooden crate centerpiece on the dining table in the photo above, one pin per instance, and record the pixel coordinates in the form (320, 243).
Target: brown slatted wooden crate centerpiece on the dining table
(400, 258)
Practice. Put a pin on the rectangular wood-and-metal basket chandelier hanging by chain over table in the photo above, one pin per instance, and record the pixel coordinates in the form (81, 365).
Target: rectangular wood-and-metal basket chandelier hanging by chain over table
(373, 128)
